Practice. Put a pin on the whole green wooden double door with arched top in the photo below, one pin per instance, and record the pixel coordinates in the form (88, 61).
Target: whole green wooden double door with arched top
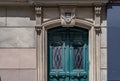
(68, 54)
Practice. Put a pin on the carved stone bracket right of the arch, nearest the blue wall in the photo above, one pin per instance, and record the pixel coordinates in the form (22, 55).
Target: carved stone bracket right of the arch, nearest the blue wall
(98, 19)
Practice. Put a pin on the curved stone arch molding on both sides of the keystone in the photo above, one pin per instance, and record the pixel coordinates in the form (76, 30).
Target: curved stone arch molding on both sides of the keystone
(78, 22)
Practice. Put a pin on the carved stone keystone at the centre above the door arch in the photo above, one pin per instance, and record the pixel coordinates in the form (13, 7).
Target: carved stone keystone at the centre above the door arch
(67, 16)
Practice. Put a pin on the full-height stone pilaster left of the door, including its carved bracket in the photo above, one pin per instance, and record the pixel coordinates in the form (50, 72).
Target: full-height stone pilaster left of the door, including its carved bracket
(39, 55)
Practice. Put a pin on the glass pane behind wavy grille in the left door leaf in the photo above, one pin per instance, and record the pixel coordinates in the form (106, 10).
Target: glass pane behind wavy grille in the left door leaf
(57, 57)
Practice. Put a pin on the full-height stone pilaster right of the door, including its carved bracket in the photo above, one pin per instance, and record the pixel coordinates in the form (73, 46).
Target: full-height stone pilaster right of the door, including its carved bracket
(97, 24)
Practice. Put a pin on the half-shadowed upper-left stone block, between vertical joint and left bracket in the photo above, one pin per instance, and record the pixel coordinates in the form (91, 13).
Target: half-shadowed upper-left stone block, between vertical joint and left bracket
(20, 16)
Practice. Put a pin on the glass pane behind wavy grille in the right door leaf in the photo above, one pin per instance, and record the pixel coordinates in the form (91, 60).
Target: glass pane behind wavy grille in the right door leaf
(78, 57)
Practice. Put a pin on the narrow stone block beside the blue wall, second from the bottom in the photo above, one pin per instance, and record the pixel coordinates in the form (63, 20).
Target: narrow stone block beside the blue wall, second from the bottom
(103, 58)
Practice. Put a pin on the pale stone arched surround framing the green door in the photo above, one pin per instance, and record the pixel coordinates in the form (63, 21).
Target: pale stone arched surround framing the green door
(94, 41)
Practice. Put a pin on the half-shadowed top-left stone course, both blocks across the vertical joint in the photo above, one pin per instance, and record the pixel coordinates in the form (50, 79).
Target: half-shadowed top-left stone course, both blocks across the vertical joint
(17, 16)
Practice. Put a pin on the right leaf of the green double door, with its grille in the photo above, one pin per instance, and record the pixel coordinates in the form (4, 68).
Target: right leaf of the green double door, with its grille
(78, 54)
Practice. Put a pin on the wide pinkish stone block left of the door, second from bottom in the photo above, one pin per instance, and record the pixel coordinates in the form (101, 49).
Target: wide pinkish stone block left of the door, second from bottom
(17, 58)
